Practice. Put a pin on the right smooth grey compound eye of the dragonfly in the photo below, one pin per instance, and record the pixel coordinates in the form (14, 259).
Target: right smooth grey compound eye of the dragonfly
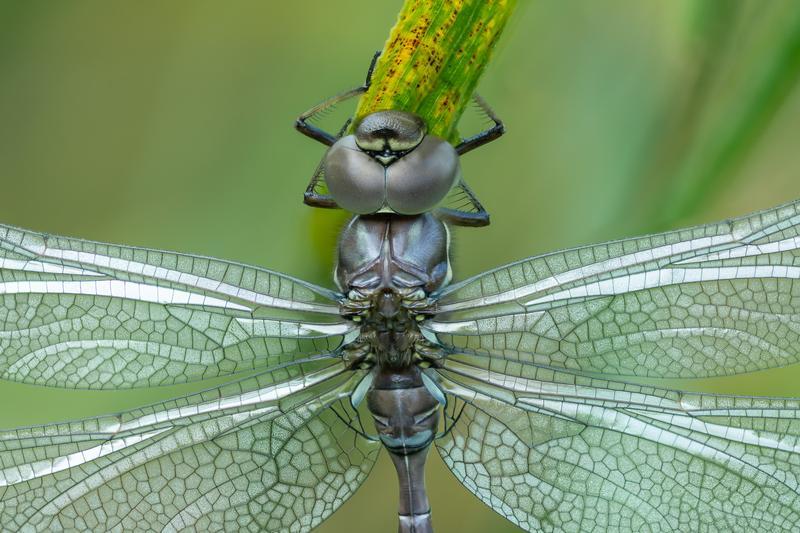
(421, 179)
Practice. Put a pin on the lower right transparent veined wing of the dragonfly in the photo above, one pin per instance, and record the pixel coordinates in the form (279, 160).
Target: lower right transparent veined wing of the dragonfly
(554, 452)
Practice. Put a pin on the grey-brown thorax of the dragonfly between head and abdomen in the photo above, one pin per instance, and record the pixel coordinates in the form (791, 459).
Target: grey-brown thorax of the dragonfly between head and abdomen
(387, 267)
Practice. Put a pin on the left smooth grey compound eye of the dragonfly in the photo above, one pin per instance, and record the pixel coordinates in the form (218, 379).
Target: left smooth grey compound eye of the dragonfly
(354, 179)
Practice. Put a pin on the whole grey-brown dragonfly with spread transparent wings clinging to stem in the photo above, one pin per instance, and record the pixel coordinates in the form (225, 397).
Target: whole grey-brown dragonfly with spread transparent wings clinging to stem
(527, 379)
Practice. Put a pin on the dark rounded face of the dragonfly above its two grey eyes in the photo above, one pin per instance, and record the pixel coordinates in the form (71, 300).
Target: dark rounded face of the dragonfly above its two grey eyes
(390, 131)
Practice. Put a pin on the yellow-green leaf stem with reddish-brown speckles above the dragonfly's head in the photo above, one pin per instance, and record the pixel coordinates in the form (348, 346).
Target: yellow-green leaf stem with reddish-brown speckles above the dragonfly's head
(433, 59)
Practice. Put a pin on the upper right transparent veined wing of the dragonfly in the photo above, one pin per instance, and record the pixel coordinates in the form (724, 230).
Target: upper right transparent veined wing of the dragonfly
(712, 300)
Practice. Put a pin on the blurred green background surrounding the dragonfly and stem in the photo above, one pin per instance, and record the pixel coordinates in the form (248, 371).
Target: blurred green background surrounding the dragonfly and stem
(169, 125)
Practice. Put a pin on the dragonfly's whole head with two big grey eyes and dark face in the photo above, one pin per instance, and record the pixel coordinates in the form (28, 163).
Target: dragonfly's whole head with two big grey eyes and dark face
(390, 165)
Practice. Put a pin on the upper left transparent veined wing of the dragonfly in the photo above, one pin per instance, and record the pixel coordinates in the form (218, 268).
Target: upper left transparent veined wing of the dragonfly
(82, 314)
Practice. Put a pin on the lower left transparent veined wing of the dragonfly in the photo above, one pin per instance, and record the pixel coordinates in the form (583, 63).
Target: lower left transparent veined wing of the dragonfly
(272, 452)
